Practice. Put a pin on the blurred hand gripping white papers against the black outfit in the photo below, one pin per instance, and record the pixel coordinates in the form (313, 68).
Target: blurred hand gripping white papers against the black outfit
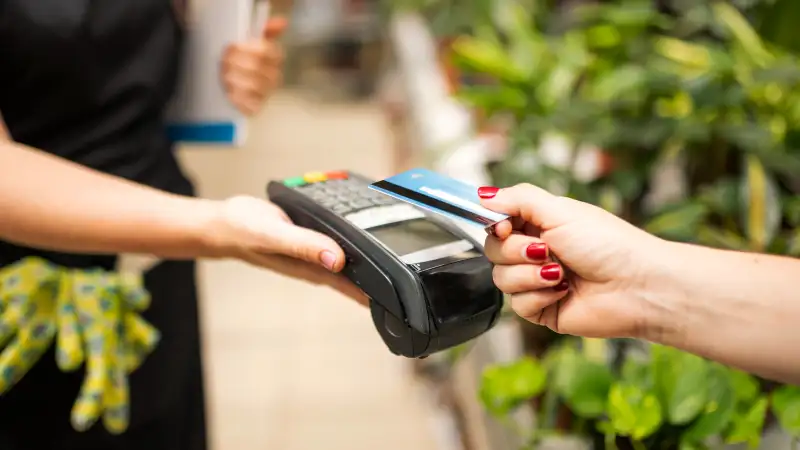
(252, 69)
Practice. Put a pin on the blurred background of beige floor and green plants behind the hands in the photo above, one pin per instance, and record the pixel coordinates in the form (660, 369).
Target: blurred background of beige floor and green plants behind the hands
(683, 117)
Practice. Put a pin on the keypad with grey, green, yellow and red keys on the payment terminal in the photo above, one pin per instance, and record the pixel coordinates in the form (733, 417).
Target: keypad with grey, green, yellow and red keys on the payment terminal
(338, 192)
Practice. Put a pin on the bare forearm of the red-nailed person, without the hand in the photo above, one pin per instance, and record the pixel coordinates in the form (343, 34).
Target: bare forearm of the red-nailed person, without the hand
(741, 309)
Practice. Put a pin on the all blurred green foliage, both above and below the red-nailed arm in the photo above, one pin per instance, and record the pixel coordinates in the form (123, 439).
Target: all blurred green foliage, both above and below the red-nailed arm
(693, 84)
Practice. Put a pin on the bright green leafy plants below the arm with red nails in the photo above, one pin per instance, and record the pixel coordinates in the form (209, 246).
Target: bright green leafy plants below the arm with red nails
(697, 400)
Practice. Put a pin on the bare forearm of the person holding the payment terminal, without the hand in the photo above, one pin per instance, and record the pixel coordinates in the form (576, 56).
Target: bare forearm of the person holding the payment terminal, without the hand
(50, 203)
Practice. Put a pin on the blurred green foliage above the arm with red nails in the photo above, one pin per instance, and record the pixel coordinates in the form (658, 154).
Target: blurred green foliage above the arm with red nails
(621, 77)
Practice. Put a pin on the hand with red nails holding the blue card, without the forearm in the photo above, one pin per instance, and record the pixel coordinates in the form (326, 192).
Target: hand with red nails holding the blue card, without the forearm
(599, 288)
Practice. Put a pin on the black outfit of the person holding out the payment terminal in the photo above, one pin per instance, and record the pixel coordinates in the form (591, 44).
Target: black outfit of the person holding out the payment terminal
(89, 80)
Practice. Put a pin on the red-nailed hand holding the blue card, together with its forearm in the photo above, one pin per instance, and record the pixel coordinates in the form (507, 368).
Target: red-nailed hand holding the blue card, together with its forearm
(613, 280)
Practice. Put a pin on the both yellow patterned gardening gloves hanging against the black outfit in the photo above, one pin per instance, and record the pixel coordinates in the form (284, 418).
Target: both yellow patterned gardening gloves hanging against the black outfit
(95, 316)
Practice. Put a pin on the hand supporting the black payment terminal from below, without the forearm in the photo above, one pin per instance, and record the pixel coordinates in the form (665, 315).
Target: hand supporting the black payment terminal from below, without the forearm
(260, 233)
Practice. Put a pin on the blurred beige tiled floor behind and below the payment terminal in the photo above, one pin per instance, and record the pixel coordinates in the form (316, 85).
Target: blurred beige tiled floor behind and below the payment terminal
(293, 366)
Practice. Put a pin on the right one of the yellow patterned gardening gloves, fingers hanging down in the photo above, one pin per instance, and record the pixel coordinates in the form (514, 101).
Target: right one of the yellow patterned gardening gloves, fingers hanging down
(98, 324)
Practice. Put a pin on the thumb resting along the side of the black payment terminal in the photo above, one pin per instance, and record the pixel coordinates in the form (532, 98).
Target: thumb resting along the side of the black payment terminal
(308, 245)
